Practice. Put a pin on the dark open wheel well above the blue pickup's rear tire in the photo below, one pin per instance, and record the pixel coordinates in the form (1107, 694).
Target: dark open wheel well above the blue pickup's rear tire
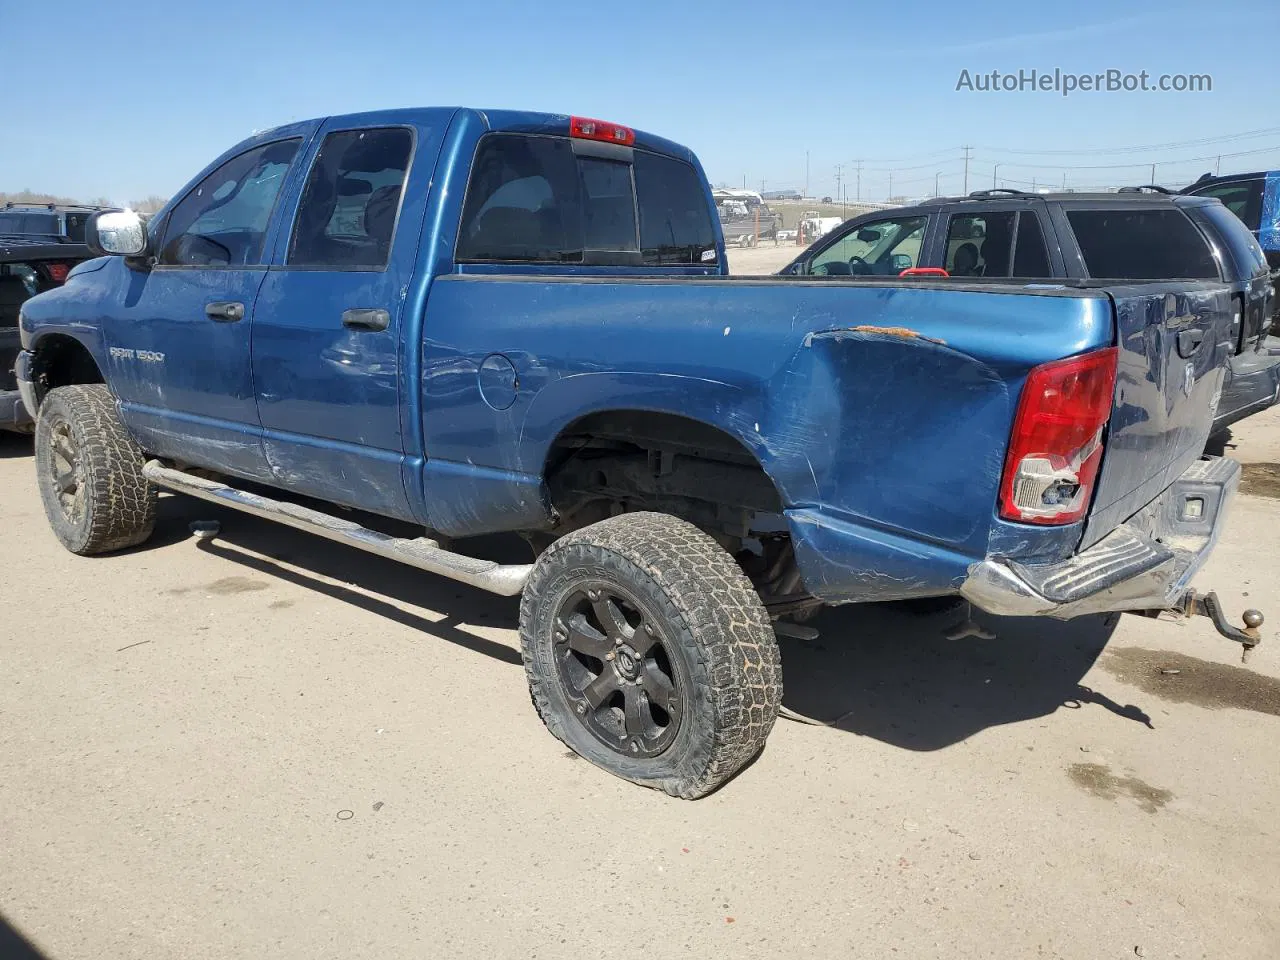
(625, 461)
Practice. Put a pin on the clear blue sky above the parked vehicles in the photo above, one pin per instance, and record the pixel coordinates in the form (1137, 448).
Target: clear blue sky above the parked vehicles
(125, 100)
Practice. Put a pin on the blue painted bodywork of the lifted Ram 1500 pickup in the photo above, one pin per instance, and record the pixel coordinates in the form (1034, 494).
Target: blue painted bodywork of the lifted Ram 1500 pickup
(886, 447)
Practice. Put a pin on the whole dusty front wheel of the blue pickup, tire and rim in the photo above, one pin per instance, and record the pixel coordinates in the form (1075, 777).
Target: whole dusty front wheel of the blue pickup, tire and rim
(90, 473)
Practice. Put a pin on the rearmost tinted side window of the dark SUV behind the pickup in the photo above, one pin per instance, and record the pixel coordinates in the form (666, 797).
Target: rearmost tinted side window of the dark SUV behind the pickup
(1142, 245)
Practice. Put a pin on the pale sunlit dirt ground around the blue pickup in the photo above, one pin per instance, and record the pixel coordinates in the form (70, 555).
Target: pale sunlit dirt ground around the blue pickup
(272, 746)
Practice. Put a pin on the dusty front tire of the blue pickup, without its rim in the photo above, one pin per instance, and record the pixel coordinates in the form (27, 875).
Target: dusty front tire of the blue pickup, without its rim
(121, 504)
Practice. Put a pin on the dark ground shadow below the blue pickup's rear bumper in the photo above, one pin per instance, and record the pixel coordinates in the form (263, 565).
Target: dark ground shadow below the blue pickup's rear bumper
(876, 671)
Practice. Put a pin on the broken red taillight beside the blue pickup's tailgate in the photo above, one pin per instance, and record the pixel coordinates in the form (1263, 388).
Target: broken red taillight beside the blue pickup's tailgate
(1057, 445)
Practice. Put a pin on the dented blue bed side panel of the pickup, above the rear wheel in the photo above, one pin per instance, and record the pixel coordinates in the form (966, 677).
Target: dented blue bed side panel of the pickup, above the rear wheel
(898, 427)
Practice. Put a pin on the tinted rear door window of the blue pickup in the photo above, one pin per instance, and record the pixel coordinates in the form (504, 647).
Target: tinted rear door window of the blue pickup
(351, 202)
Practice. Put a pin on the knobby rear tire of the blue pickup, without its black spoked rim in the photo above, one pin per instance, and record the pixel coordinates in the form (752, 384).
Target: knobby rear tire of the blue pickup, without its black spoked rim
(739, 670)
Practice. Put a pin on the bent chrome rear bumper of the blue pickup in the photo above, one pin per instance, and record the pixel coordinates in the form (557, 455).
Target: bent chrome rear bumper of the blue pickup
(1144, 565)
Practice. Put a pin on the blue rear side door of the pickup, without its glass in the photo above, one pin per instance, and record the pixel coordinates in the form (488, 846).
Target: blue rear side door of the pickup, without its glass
(330, 396)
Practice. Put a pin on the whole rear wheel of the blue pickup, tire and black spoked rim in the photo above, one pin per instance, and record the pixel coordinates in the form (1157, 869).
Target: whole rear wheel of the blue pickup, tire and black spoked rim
(650, 653)
